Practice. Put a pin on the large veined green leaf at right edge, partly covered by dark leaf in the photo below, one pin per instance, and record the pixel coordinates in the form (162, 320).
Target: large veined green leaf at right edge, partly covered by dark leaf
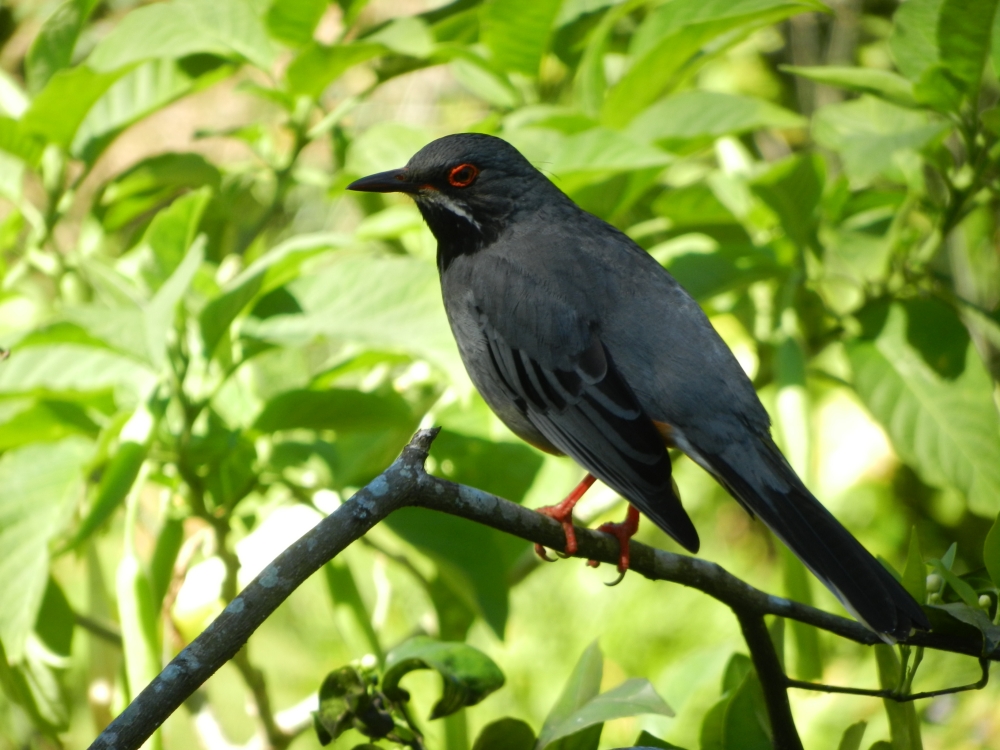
(947, 431)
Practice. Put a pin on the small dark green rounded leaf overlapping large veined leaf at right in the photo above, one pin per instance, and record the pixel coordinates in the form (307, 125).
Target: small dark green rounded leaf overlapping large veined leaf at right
(934, 330)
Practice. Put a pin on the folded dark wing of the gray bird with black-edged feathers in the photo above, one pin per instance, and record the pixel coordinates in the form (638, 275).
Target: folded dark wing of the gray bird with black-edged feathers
(585, 408)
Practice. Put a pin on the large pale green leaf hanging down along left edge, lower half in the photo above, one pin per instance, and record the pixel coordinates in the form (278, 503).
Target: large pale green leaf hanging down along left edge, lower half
(41, 485)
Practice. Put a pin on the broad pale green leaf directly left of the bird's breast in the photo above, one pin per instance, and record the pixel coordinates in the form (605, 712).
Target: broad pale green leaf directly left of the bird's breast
(390, 303)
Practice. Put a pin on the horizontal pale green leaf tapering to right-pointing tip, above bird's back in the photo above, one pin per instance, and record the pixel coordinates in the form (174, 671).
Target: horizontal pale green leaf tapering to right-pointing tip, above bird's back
(693, 115)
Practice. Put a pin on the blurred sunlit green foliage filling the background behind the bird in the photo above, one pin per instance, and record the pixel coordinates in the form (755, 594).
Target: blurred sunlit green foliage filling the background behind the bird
(210, 342)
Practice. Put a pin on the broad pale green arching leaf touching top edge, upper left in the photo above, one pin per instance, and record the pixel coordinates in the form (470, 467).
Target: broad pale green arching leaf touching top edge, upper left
(228, 28)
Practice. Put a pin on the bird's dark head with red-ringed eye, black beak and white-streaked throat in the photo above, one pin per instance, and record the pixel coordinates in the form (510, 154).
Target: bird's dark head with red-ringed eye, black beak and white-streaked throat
(467, 186)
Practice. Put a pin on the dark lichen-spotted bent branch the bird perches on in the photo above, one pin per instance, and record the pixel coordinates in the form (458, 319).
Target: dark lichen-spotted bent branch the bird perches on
(405, 483)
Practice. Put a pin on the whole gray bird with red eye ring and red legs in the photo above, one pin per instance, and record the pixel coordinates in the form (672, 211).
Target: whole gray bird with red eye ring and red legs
(584, 345)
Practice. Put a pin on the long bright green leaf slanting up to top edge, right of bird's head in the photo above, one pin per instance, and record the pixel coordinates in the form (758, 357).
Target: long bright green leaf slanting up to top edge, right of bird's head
(669, 46)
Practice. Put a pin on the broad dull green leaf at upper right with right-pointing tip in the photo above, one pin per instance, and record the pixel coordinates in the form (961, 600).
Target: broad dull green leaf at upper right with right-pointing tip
(867, 133)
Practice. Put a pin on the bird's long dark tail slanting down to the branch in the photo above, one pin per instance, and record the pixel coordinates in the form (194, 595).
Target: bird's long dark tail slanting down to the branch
(760, 478)
